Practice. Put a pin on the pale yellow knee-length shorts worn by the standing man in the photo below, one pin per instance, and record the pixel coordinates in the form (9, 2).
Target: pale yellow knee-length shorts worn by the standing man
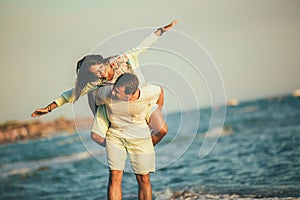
(141, 153)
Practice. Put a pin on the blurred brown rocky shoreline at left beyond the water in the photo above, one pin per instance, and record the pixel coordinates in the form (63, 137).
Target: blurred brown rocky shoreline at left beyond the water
(13, 131)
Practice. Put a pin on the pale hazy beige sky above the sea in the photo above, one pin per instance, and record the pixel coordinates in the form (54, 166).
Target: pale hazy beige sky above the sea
(253, 44)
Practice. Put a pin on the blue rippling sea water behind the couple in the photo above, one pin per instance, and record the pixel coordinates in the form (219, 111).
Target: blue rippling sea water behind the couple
(257, 156)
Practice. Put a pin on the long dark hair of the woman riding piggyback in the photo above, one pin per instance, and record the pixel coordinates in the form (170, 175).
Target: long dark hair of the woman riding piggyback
(84, 75)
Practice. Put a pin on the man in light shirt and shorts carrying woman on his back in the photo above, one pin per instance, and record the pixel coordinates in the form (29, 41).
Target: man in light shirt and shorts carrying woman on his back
(127, 107)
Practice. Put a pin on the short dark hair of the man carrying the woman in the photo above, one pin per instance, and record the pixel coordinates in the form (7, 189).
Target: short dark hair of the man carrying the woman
(130, 81)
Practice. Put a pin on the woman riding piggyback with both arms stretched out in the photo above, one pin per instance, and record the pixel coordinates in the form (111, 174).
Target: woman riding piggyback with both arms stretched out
(94, 71)
